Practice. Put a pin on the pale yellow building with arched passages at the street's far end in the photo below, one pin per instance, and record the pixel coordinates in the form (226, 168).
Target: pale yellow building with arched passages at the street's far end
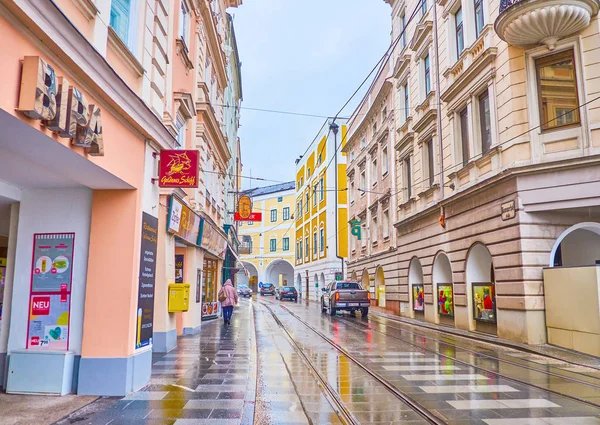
(267, 248)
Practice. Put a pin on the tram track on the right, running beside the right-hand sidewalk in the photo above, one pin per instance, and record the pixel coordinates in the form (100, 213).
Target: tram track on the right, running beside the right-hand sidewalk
(362, 326)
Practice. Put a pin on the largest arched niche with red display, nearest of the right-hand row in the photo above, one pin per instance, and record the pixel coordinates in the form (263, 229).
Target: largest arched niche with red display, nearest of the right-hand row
(481, 289)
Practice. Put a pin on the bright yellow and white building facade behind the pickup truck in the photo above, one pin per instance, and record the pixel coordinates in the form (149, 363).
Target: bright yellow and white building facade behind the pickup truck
(321, 211)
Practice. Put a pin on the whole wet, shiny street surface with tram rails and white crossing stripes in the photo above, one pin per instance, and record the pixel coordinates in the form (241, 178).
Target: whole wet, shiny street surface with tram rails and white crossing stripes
(287, 363)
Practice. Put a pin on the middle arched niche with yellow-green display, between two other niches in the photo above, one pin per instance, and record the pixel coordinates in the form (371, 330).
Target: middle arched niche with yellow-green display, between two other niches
(443, 289)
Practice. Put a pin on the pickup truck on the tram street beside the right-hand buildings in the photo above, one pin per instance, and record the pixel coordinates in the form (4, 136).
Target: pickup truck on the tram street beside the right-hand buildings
(345, 295)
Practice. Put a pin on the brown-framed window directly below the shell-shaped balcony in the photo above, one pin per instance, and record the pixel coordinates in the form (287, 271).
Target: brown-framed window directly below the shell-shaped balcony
(557, 90)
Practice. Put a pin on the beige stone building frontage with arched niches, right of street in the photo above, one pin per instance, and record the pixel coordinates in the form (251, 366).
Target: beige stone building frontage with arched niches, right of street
(492, 136)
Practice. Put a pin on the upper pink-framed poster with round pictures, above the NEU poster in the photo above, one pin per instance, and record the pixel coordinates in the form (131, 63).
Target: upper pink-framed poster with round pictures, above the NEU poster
(52, 262)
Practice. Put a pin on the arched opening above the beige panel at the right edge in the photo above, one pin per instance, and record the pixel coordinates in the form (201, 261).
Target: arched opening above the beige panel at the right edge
(577, 246)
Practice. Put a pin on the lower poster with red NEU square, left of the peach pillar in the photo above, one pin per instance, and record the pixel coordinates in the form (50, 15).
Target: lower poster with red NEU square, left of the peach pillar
(49, 322)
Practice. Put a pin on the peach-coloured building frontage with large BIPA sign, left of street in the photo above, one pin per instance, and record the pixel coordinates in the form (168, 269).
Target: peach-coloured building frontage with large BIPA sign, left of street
(98, 90)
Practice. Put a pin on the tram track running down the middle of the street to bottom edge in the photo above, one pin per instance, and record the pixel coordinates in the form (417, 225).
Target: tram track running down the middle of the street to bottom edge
(414, 405)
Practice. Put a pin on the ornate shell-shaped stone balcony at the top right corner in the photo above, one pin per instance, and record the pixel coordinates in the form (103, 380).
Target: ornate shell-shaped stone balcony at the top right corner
(530, 22)
